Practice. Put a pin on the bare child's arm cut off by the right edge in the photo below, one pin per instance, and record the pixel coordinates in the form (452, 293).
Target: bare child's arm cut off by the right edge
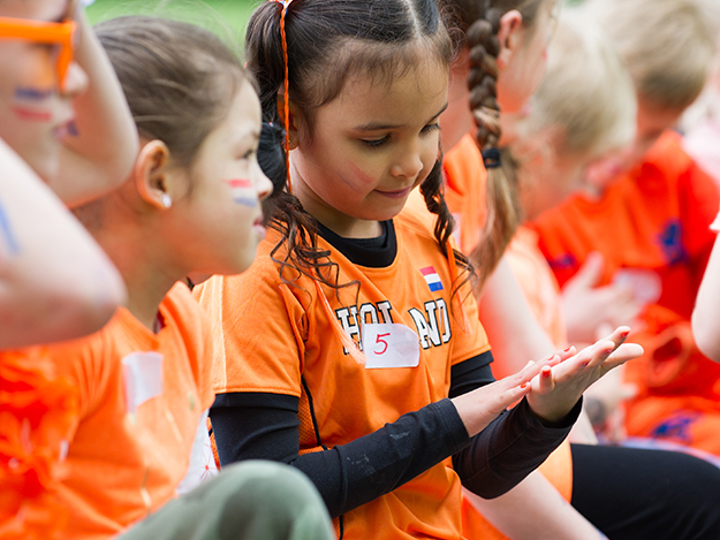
(704, 318)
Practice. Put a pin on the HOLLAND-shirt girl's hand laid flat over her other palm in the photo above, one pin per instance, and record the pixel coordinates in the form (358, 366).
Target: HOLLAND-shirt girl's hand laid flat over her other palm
(481, 406)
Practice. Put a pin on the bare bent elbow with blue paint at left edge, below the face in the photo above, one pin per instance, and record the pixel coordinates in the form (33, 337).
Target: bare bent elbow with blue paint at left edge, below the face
(55, 281)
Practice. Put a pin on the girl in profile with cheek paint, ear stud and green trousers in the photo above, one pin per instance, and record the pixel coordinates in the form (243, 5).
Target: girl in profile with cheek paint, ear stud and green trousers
(190, 204)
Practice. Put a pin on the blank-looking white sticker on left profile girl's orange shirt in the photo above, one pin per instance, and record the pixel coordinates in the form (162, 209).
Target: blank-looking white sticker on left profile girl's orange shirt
(142, 373)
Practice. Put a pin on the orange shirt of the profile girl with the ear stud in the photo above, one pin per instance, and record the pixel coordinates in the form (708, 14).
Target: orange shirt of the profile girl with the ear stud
(123, 465)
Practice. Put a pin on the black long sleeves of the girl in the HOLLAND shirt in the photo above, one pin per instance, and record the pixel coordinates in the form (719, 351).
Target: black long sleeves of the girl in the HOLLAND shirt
(265, 426)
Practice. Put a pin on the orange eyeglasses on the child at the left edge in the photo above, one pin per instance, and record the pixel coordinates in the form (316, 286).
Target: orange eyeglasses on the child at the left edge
(51, 33)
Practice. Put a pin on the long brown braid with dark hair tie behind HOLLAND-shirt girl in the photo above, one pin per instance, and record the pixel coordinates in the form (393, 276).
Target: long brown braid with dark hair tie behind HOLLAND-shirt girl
(502, 200)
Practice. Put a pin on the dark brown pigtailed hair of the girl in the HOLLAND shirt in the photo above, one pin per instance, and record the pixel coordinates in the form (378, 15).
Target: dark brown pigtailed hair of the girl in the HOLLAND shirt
(328, 40)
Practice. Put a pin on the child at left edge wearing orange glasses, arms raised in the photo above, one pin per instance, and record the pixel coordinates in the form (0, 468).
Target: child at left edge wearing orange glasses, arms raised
(63, 124)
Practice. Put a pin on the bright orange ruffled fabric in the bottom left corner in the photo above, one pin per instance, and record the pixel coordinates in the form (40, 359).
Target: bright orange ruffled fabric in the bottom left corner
(37, 412)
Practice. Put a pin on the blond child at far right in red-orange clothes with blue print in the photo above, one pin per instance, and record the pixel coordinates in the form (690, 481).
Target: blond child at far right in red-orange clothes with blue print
(650, 220)
